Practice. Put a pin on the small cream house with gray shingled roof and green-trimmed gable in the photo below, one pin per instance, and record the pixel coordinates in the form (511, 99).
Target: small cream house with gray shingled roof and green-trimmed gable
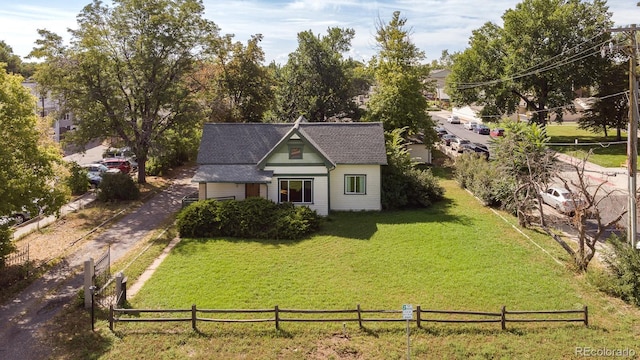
(326, 166)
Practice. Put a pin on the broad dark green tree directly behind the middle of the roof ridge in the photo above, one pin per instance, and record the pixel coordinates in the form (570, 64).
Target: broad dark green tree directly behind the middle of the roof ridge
(315, 82)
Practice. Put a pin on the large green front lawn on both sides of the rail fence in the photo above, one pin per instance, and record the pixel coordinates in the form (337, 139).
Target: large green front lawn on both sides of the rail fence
(456, 255)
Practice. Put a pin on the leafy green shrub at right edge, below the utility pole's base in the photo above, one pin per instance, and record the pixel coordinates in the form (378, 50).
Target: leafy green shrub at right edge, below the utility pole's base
(624, 264)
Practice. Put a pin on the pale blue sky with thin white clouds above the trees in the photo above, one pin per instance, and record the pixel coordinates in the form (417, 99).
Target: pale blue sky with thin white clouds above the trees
(435, 25)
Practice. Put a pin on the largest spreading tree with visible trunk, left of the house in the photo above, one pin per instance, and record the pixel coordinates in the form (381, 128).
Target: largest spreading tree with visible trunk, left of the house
(125, 73)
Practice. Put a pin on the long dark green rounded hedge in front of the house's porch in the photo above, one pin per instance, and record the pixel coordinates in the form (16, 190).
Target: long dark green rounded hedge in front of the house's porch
(250, 218)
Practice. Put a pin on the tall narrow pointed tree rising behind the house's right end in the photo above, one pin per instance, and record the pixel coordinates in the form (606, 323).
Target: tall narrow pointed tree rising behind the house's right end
(398, 100)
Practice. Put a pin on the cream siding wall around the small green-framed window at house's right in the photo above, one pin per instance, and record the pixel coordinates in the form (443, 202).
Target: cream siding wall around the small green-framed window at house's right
(342, 201)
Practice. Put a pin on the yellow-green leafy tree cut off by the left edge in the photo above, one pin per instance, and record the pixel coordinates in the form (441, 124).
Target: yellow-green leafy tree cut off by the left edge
(30, 163)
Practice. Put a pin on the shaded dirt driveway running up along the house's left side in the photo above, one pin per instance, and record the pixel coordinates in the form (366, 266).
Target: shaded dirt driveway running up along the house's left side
(22, 318)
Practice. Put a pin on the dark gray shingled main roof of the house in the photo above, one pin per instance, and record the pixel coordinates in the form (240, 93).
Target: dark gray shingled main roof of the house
(247, 143)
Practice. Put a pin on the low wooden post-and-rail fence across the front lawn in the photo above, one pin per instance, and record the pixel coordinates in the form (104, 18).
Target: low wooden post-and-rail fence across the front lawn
(351, 315)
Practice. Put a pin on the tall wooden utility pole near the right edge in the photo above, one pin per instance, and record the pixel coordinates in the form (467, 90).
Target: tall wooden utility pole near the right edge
(632, 136)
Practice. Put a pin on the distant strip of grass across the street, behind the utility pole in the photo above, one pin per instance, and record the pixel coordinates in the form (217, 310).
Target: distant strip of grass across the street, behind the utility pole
(607, 155)
